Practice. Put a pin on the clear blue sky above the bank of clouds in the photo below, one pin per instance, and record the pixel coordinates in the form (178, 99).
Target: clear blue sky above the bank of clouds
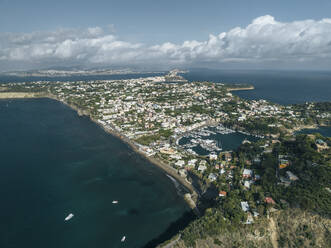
(153, 20)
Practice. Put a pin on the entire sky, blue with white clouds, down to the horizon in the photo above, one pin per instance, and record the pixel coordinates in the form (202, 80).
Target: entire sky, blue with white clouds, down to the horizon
(152, 34)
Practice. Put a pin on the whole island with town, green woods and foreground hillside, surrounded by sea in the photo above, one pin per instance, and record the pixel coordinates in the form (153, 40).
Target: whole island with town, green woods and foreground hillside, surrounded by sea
(251, 196)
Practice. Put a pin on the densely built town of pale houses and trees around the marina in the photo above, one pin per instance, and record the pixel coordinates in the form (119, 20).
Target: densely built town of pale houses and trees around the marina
(154, 116)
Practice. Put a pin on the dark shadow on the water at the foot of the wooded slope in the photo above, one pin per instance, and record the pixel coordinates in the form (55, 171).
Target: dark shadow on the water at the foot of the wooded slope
(172, 229)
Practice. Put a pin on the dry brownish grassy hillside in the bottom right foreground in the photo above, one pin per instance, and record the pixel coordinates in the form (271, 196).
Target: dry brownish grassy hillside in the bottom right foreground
(288, 228)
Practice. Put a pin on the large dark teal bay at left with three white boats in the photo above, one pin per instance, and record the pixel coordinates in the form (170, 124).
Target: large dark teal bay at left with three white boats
(54, 162)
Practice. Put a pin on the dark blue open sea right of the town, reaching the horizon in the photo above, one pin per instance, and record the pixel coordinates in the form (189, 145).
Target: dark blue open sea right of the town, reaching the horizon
(283, 87)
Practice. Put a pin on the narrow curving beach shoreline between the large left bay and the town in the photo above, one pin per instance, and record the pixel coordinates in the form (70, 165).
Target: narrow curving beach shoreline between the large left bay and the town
(156, 162)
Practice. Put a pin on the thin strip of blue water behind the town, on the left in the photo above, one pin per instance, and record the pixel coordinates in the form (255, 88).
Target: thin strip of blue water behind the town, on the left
(14, 79)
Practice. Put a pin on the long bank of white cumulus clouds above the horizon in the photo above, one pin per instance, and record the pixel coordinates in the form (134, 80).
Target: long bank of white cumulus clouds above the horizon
(264, 40)
